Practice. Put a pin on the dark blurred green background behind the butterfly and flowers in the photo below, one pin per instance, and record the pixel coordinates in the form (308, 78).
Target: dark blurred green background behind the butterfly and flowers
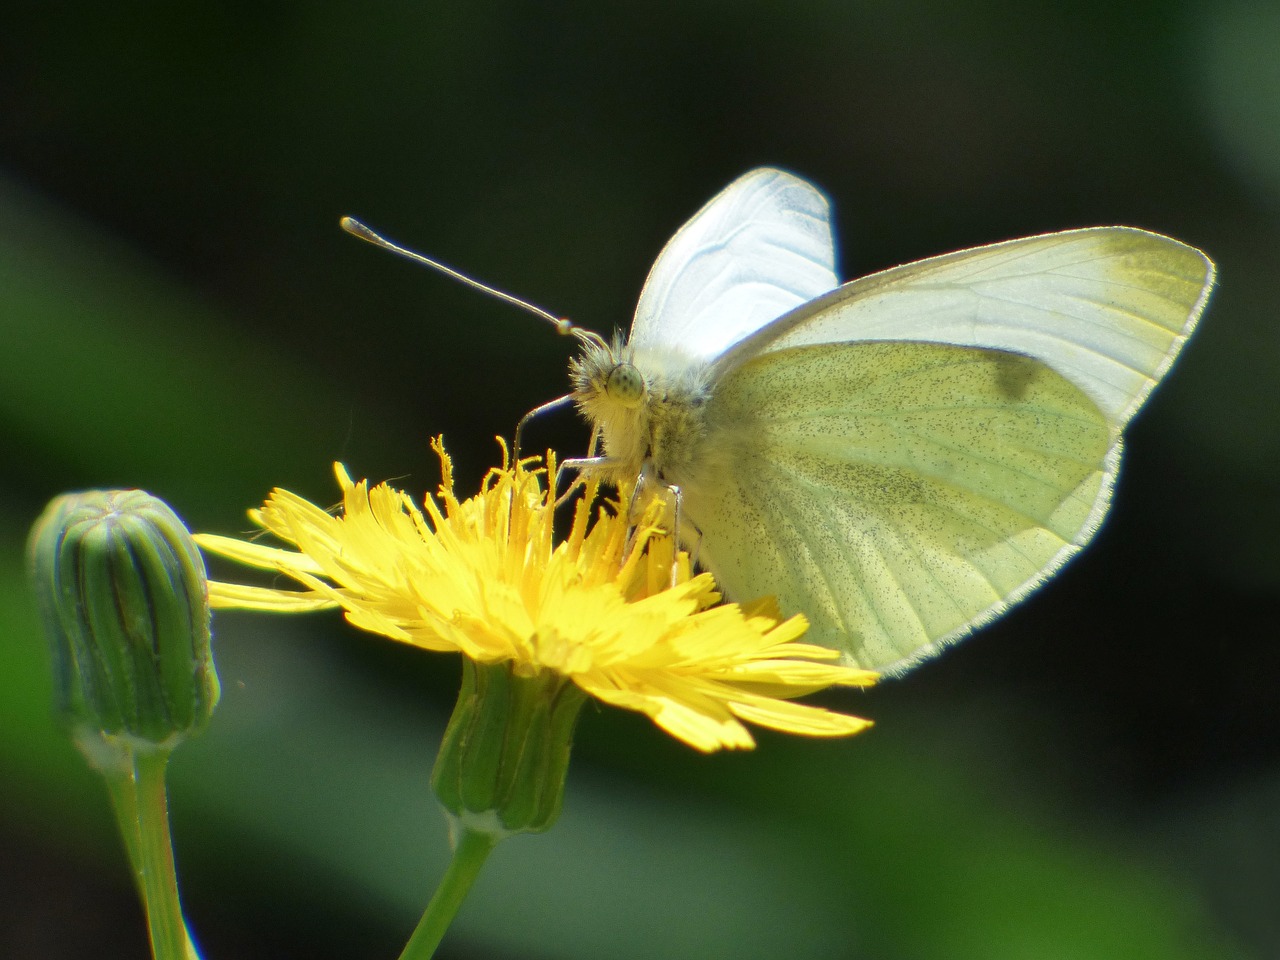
(1096, 776)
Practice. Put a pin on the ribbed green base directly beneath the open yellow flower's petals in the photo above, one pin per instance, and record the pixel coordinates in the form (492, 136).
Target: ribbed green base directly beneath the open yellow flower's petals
(505, 756)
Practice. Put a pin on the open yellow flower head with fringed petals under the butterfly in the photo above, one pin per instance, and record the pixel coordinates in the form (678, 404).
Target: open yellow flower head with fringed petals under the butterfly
(486, 578)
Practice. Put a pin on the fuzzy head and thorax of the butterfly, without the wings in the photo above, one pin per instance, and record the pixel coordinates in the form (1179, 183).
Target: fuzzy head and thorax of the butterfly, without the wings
(647, 404)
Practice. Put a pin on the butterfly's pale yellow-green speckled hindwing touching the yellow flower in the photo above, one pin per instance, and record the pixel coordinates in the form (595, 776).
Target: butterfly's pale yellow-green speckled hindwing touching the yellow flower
(897, 493)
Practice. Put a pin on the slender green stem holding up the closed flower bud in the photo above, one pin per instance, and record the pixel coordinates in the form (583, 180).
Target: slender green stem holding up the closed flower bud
(154, 860)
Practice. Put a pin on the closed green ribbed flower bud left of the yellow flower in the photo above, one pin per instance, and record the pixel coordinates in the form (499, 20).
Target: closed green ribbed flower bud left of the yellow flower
(124, 597)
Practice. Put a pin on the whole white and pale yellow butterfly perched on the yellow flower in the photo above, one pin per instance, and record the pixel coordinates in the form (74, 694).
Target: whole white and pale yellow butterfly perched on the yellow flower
(900, 458)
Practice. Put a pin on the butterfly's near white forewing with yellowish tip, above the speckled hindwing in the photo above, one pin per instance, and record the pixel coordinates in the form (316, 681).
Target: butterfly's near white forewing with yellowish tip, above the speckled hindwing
(1109, 308)
